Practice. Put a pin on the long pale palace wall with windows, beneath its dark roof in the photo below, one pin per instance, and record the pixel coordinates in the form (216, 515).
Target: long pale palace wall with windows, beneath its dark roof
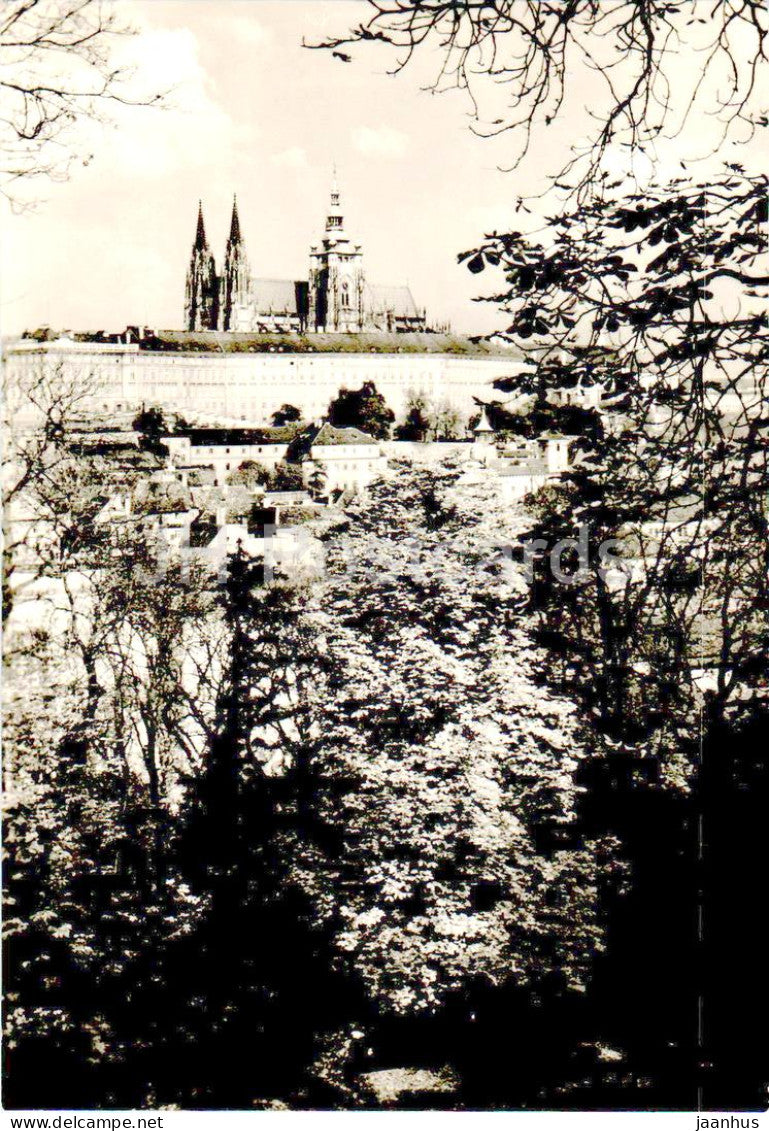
(249, 387)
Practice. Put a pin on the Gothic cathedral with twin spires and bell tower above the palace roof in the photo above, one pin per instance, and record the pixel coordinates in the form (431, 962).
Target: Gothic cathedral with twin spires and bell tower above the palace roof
(335, 299)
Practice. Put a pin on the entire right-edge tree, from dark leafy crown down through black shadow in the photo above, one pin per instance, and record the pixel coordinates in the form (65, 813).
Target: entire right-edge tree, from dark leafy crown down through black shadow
(662, 635)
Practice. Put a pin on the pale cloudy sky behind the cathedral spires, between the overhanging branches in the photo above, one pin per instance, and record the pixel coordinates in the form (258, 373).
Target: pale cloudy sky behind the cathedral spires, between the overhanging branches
(257, 115)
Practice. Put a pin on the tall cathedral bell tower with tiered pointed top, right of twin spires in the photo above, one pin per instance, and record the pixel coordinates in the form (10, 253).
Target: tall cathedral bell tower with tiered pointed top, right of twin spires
(336, 278)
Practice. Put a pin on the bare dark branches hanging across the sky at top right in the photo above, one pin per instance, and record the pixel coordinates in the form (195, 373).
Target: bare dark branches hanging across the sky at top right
(537, 49)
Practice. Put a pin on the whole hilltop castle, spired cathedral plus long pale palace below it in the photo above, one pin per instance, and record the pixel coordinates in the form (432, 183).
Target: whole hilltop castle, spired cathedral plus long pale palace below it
(250, 346)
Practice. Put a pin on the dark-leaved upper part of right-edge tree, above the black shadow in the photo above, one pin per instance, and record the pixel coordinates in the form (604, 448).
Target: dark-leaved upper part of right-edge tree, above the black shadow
(632, 296)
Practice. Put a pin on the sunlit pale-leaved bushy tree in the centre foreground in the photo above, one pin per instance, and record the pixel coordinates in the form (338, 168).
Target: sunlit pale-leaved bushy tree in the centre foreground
(442, 770)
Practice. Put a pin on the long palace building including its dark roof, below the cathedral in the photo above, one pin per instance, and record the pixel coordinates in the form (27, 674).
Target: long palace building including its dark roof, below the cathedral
(246, 378)
